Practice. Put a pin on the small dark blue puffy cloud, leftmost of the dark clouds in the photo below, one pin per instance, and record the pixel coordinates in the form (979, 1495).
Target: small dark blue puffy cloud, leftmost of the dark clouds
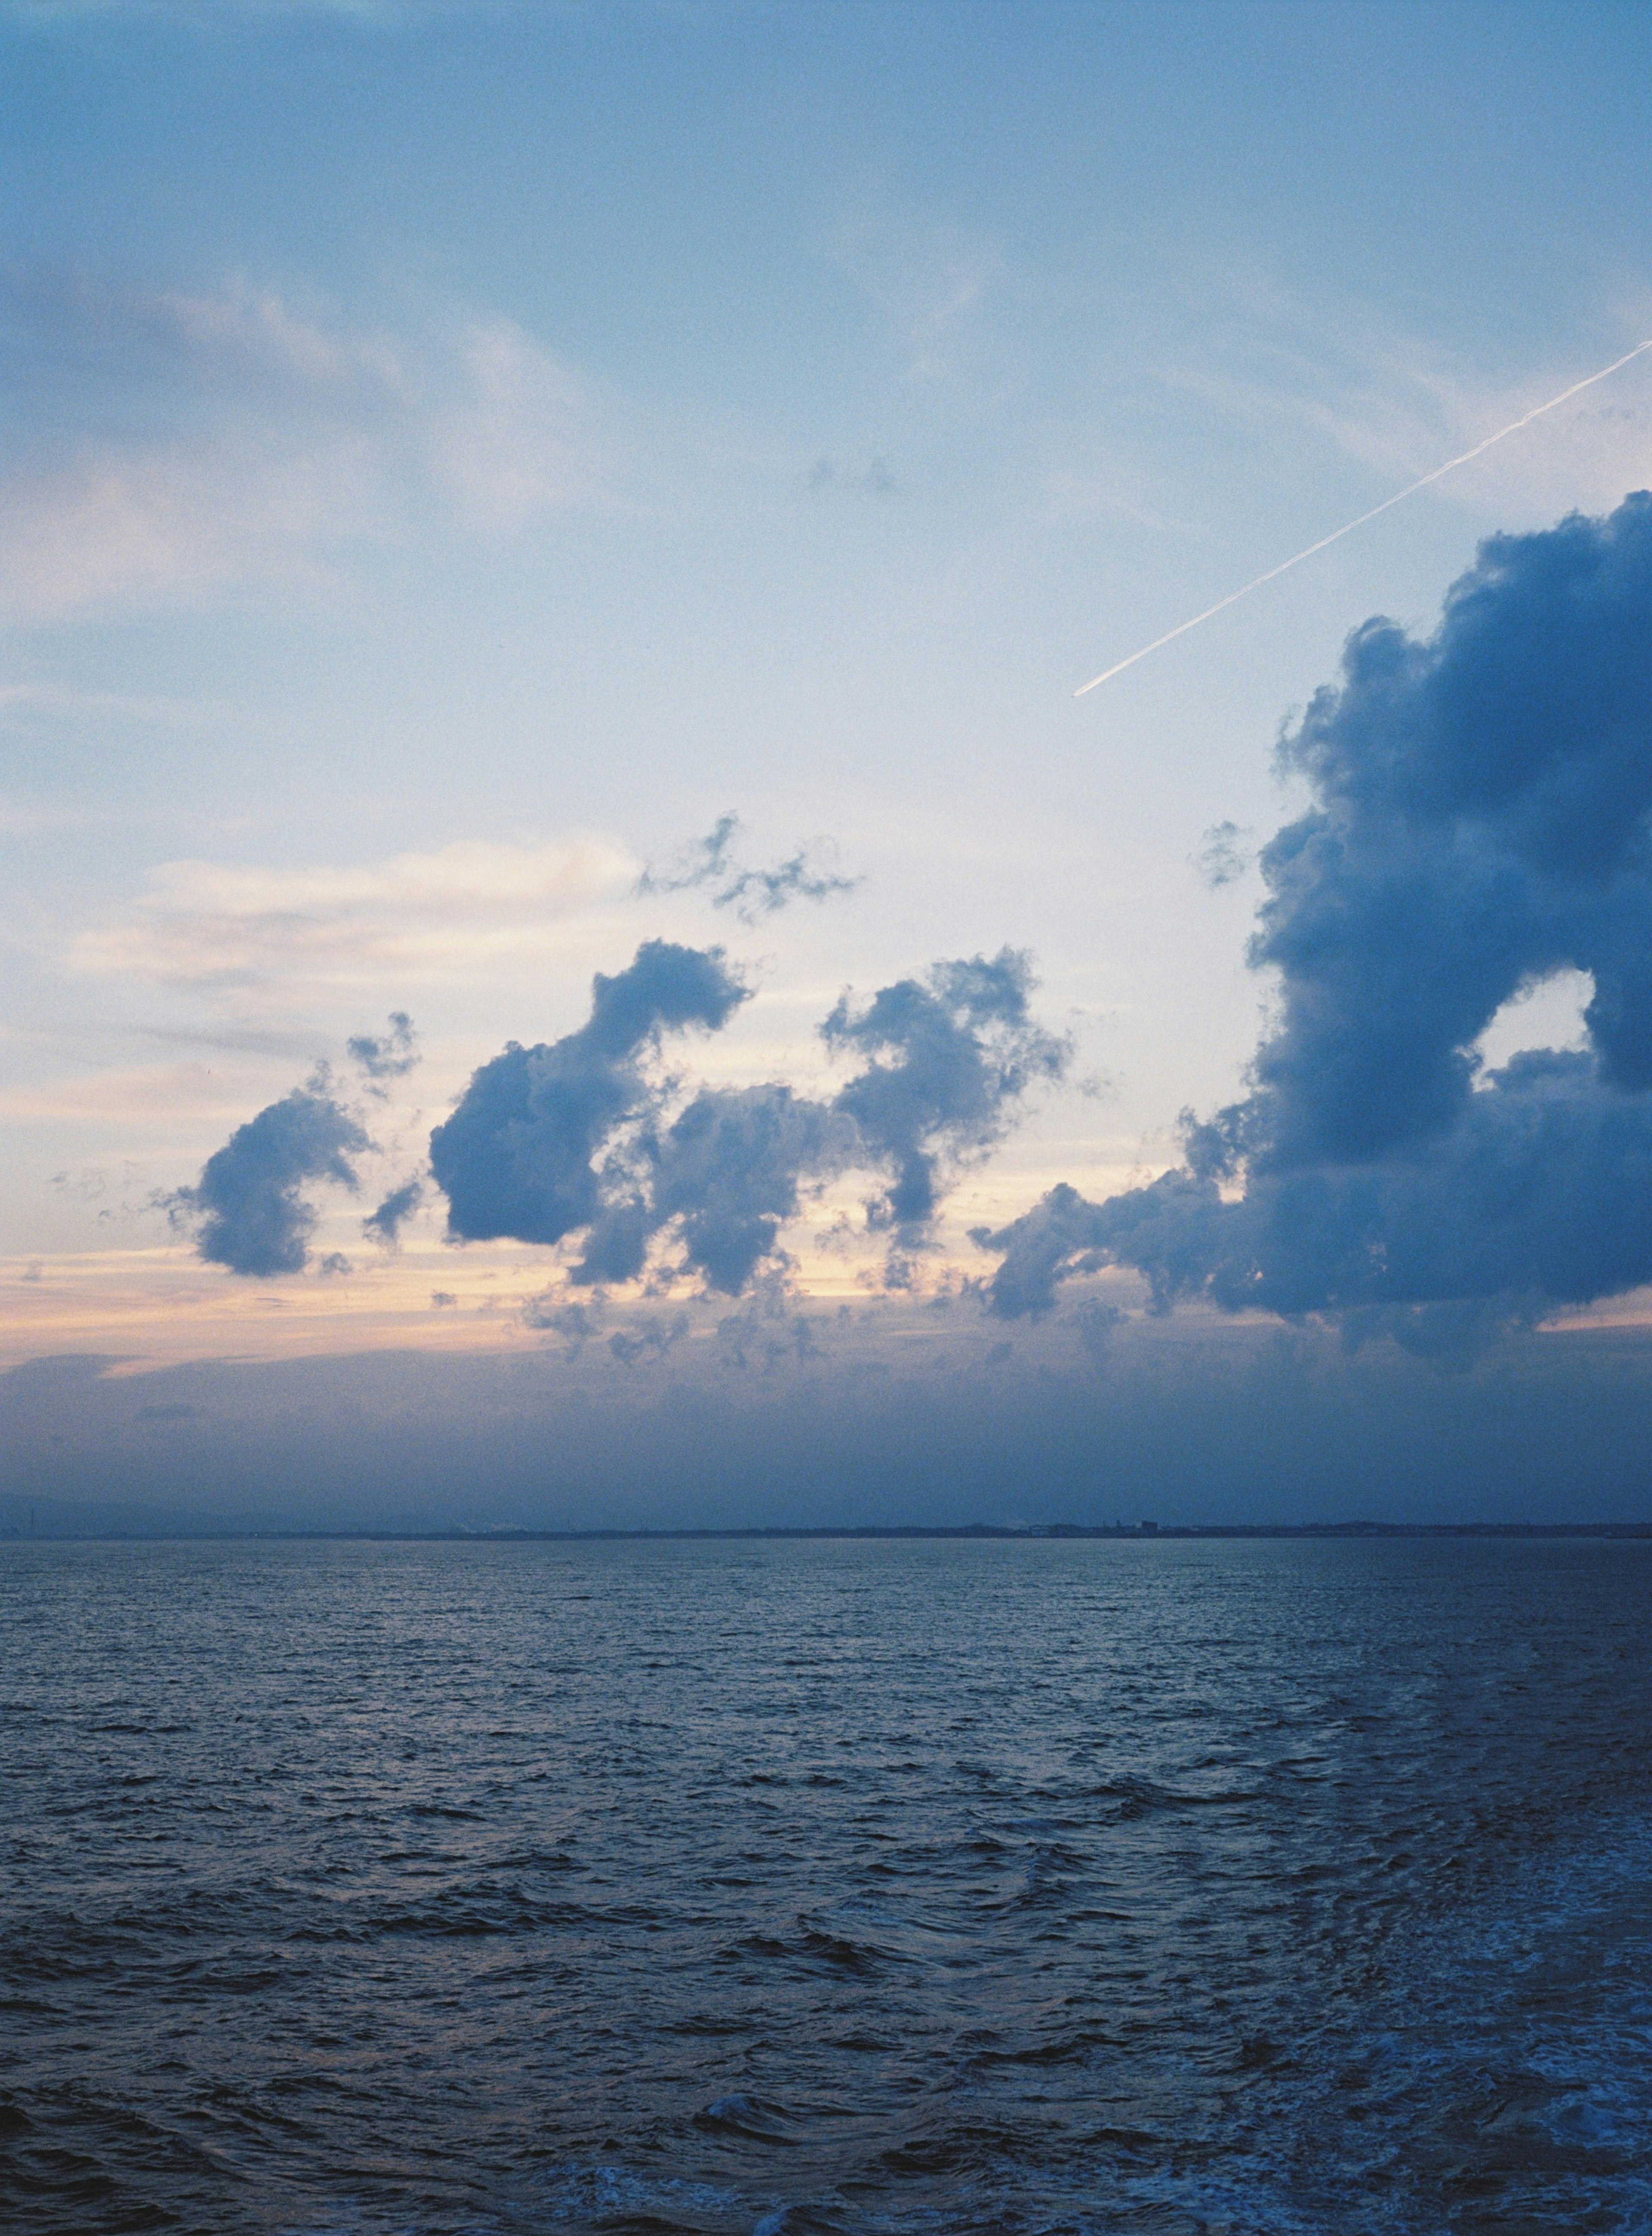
(247, 1209)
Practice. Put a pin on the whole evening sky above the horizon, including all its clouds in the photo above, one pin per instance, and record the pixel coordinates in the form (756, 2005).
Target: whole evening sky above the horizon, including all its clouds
(571, 951)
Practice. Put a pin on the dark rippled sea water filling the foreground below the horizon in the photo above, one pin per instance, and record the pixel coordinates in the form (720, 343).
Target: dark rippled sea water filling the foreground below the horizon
(848, 1886)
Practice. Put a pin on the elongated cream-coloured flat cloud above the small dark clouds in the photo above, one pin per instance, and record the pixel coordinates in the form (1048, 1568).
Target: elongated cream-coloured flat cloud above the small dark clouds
(453, 913)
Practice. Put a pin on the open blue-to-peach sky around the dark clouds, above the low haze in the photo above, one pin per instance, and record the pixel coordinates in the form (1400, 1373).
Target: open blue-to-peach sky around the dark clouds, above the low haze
(455, 455)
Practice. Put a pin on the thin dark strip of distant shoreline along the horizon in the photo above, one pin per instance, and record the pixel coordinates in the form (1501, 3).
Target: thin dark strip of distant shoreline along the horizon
(1041, 1533)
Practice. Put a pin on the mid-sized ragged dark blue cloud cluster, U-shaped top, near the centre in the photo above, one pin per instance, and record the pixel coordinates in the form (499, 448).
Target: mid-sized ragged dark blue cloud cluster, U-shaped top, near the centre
(582, 1139)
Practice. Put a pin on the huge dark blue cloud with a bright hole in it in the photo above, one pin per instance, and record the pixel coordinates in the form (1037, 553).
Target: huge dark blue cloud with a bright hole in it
(1481, 822)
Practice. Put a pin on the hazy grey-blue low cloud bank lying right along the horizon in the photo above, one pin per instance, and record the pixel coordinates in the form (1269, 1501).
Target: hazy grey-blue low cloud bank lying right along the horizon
(889, 1417)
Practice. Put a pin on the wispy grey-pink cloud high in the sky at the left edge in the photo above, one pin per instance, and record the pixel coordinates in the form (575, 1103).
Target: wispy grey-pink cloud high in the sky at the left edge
(245, 439)
